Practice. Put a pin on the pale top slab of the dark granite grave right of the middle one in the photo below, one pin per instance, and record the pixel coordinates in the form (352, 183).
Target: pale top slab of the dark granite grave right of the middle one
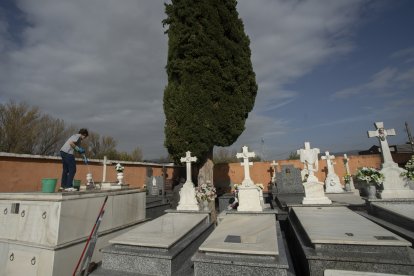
(339, 225)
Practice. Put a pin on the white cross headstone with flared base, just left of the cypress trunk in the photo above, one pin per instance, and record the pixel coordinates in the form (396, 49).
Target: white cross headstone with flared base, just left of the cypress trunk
(188, 199)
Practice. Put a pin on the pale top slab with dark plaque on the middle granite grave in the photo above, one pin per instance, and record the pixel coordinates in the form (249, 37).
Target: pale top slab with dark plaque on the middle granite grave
(248, 234)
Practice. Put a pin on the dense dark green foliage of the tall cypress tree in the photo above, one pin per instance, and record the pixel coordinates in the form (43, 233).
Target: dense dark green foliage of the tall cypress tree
(211, 84)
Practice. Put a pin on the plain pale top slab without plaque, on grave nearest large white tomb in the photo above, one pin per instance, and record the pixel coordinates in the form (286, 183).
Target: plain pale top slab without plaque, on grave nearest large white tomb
(162, 232)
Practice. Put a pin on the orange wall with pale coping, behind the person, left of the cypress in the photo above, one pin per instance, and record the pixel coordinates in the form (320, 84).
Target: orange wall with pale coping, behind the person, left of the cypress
(24, 173)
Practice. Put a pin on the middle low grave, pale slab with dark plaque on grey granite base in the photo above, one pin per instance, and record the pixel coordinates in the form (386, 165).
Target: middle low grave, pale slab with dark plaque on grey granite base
(243, 244)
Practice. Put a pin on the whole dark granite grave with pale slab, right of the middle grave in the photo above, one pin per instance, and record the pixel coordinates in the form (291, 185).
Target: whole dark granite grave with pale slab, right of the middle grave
(338, 238)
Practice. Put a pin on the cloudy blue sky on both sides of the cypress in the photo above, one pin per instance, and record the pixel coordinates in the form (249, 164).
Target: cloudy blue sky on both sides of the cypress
(326, 70)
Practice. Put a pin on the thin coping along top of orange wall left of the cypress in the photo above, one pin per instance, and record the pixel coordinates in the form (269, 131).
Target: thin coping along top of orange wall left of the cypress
(31, 156)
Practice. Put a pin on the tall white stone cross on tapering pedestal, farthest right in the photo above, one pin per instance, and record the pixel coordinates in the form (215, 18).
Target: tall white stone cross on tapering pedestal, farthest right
(394, 184)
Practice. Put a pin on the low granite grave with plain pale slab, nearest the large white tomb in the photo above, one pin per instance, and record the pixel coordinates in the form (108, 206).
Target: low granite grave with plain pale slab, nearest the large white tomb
(163, 246)
